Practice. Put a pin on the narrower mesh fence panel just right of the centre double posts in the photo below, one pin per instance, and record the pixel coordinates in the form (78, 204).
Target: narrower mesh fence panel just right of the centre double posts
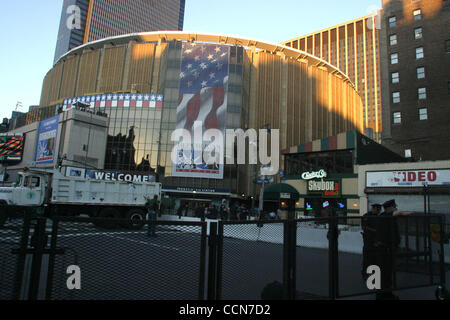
(250, 260)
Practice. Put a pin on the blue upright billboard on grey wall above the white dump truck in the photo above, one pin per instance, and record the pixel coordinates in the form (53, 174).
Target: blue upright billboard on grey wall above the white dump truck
(46, 144)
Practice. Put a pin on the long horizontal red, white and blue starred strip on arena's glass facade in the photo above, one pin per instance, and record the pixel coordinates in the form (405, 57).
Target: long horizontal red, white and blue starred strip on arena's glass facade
(117, 100)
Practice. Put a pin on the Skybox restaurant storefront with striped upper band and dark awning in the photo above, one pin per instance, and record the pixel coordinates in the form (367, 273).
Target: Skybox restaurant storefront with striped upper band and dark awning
(325, 172)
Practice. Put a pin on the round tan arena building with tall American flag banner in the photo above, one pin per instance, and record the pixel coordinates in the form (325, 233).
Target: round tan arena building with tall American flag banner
(149, 84)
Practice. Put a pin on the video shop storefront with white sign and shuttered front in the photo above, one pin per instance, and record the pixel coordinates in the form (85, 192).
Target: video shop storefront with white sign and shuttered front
(420, 186)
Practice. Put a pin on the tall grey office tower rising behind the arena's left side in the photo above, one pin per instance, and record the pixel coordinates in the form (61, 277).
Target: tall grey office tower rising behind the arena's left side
(84, 21)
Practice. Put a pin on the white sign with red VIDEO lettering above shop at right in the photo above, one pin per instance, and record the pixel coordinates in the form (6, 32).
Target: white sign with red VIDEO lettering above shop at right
(408, 178)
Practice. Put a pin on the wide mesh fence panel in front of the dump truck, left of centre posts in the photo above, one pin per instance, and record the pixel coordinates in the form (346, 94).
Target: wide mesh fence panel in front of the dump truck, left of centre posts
(124, 264)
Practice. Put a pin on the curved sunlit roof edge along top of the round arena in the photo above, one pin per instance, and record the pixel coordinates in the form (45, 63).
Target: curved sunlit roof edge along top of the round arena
(161, 36)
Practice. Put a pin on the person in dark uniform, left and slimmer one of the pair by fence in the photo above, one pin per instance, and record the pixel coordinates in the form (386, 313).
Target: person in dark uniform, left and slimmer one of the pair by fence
(368, 224)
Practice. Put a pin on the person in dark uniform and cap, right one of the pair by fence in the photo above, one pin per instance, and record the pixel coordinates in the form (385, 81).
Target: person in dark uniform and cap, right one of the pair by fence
(387, 240)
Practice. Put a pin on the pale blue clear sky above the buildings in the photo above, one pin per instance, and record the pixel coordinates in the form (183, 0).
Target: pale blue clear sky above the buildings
(29, 30)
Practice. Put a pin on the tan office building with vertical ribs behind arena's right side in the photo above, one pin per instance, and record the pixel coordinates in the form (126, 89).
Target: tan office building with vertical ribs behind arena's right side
(353, 47)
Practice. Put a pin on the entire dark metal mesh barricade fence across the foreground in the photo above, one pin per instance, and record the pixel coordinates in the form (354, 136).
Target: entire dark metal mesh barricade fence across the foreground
(311, 258)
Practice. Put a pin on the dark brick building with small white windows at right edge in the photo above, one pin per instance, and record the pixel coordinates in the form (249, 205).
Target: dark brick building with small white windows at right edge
(415, 45)
